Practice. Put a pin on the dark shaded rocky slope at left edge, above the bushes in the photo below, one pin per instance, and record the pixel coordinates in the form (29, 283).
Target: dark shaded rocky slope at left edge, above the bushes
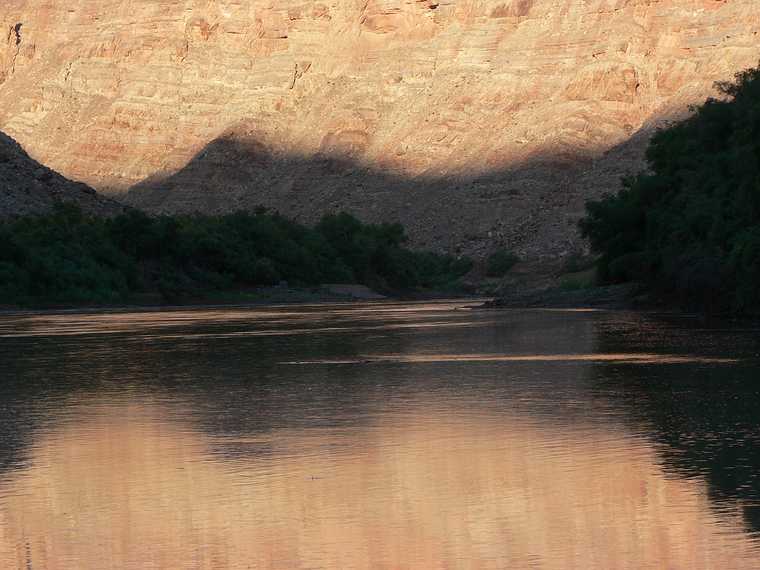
(27, 187)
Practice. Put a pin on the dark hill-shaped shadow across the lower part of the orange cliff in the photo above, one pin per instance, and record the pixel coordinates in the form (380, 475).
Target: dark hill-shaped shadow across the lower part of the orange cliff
(531, 208)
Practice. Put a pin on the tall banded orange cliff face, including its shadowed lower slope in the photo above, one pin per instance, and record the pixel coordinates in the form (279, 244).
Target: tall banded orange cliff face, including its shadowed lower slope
(474, 122)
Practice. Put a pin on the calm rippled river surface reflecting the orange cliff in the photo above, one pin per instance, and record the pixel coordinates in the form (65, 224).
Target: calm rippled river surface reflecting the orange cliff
(388, 436)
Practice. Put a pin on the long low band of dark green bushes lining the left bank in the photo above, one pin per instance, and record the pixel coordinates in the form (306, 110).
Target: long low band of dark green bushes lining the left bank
(68, 256)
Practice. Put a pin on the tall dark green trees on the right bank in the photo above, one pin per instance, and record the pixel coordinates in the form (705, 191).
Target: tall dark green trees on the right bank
(689, 228)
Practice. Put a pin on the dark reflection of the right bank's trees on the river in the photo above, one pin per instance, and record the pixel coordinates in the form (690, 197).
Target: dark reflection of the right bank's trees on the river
(706, 423)
